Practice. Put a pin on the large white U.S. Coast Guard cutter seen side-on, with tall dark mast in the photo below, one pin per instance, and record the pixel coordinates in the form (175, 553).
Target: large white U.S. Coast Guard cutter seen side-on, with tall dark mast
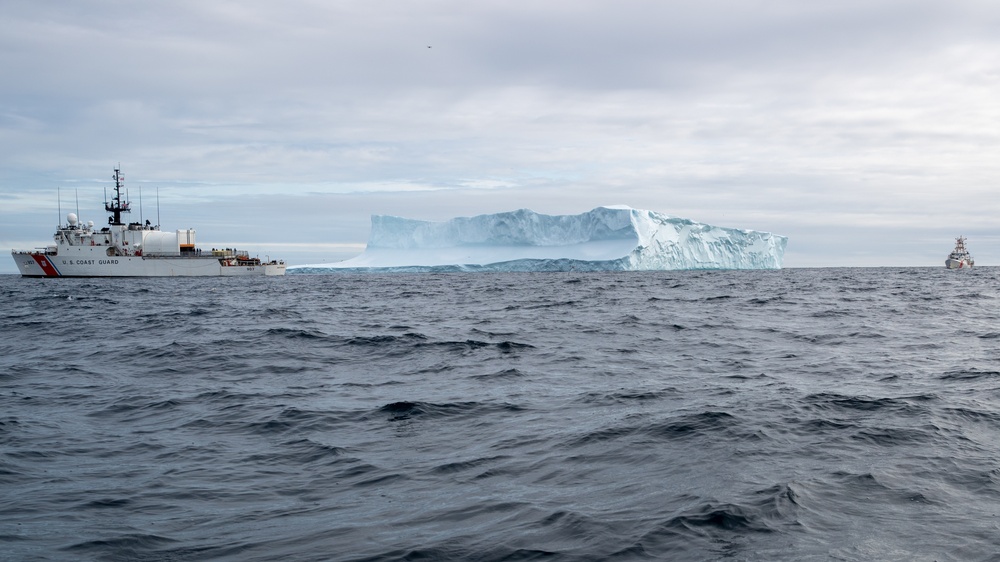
(133, 250)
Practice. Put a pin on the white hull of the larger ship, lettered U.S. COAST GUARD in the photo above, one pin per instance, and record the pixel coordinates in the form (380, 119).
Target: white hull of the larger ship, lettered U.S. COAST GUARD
(95, 263)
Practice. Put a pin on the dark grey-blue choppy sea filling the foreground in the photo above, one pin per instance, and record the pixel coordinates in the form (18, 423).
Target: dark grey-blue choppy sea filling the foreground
(845, 414)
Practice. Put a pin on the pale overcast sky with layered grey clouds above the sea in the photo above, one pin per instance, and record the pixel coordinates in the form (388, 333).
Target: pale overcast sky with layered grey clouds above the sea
(866, 131)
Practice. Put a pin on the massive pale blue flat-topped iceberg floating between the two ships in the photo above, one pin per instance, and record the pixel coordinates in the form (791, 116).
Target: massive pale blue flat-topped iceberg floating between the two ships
(613, 238)
